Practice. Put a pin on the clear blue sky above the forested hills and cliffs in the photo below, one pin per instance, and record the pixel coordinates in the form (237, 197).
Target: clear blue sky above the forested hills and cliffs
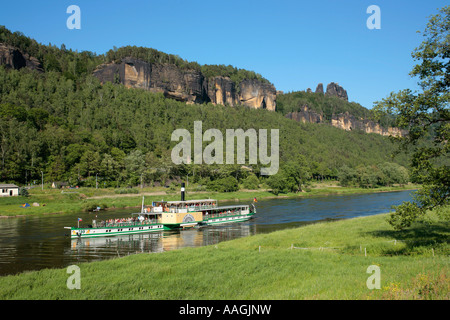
(294, 44)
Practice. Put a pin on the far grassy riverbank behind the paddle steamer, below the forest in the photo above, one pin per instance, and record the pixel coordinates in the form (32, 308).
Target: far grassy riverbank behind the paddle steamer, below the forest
(57, 201)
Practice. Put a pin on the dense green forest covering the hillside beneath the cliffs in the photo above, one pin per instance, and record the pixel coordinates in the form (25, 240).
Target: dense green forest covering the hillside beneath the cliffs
(64, 124)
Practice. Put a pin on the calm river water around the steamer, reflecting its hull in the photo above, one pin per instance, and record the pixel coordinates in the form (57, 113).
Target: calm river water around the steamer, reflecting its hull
(33, 243)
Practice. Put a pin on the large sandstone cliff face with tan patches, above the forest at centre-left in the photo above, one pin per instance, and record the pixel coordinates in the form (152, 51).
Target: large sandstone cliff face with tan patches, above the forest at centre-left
(188, 85)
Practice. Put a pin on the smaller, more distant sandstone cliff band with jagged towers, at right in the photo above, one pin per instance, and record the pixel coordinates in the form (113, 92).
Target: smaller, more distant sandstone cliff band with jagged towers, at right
(345, 121)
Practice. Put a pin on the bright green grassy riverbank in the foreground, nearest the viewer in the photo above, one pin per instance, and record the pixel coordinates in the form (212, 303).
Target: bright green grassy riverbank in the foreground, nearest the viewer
(328, 260)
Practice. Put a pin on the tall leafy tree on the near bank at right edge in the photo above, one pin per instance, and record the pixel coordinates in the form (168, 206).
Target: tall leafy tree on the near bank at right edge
(426, 115)
